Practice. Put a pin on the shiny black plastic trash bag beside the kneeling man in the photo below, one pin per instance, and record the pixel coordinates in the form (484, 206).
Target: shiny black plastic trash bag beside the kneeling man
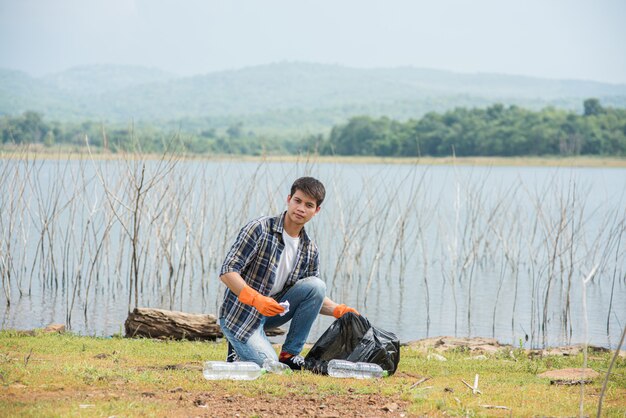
(353, 338)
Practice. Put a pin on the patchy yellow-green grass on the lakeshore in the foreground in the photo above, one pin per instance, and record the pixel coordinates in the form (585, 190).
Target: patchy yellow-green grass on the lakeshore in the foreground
(70, 375)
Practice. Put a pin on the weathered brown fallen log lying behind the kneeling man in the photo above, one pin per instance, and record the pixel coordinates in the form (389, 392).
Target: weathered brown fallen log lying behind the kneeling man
(164, 324)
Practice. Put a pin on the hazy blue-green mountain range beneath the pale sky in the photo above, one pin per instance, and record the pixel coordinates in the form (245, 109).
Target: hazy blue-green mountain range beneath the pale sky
(280, 95)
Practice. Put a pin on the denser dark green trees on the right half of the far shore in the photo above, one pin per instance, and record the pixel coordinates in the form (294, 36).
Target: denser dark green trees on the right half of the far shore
(493, 131)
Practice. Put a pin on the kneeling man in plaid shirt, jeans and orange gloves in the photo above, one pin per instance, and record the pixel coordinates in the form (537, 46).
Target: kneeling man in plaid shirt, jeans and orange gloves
(274, 261)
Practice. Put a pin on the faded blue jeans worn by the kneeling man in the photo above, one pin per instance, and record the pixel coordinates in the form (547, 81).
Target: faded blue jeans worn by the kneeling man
(305, 301)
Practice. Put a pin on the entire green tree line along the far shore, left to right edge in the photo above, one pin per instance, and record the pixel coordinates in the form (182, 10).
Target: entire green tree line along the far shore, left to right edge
(496, 130)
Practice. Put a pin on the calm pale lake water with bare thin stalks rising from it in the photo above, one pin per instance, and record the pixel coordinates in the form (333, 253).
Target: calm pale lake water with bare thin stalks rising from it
(420, 250)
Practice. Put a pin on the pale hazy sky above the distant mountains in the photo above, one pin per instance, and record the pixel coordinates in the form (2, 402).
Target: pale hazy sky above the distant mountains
(558, 39)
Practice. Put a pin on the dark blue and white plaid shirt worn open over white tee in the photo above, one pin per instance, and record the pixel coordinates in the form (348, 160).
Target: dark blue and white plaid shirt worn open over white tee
(255, 255)
